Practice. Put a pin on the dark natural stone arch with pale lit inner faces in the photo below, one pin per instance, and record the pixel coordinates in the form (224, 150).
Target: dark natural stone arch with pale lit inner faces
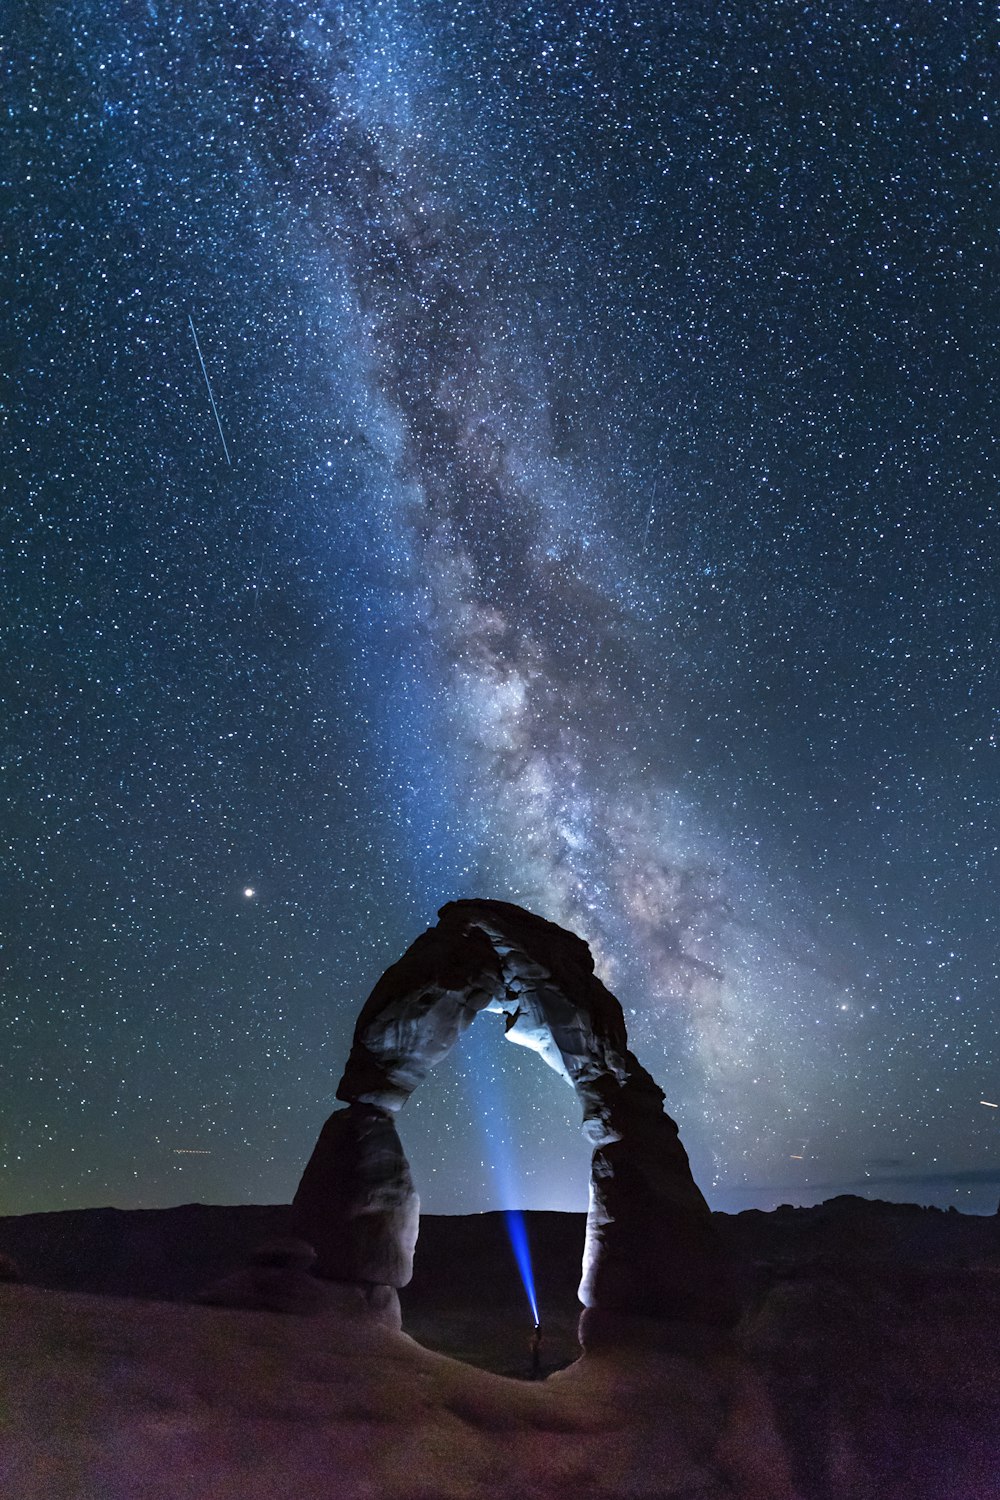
(650, 1241)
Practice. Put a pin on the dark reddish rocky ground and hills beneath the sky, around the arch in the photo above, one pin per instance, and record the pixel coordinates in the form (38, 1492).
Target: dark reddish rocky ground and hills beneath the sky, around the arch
(866, 1366)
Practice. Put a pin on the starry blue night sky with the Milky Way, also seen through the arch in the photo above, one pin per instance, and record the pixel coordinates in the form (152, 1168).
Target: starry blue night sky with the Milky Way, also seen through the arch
(534, 451)
